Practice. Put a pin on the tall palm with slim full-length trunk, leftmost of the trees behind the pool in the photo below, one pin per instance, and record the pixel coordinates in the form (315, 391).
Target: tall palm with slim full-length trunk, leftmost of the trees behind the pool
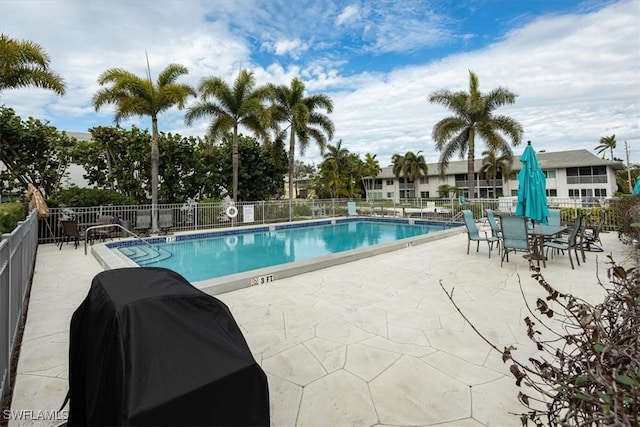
(139, 96)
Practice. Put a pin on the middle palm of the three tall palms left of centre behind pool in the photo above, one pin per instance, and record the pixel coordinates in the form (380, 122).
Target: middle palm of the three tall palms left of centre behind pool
(230, 107)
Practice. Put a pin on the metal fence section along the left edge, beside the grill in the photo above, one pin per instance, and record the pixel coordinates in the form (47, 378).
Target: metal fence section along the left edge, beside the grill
(17, 255)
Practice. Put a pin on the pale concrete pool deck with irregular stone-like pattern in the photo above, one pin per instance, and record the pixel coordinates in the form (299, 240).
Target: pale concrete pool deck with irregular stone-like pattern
(371, 342)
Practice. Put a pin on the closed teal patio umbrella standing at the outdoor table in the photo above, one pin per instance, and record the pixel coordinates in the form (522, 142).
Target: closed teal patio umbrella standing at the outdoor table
(532, 188)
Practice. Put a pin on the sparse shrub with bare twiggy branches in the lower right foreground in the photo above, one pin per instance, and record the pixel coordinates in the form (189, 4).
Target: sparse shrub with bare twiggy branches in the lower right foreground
(589, 370)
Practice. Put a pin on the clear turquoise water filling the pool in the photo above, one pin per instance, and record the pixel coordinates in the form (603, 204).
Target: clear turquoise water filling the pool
(207, 258)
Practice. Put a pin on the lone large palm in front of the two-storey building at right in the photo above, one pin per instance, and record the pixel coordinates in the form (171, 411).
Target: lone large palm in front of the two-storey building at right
(473, 116)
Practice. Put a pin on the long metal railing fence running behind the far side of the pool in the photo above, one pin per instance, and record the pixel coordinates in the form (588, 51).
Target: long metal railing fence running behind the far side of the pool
(199, 216)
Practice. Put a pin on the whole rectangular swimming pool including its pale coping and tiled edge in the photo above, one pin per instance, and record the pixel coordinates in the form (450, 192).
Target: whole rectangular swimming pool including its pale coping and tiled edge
(263, 254)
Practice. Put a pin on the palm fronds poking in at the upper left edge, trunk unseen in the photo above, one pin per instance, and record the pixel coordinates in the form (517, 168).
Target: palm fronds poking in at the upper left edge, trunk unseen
(25, 63)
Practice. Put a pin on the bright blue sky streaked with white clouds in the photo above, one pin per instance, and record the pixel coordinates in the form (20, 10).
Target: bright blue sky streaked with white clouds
(574, 65)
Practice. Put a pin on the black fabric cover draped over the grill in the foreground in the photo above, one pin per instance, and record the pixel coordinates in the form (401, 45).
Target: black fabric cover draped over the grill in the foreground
(147, 348)
